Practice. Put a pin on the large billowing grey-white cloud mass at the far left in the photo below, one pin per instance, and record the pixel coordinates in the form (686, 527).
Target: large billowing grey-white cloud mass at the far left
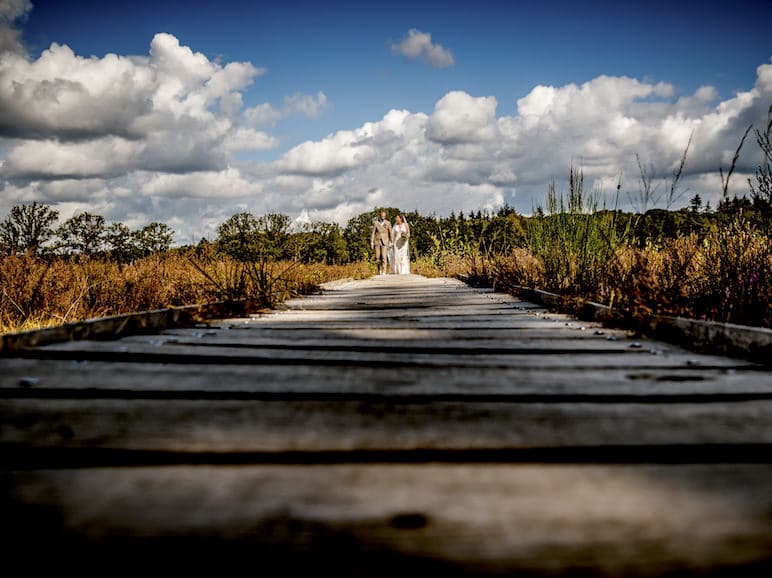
(173, 110)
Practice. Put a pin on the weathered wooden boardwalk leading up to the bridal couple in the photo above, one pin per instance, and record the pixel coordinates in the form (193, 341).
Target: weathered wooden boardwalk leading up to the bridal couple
(393, 426)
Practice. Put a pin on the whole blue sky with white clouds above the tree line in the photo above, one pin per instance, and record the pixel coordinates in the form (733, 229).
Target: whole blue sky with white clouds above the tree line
(306, 131)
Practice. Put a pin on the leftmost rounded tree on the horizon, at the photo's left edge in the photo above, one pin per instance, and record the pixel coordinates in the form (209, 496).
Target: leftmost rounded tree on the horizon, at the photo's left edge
(27, 227)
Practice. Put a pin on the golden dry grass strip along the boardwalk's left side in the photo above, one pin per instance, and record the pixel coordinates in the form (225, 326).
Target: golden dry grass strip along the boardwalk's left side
(38, 293)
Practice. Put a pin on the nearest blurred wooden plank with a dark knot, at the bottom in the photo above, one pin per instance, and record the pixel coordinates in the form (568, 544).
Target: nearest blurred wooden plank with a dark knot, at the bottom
(397, 520)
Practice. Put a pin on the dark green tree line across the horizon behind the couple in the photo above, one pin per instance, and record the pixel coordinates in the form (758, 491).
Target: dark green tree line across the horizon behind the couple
(33, 228)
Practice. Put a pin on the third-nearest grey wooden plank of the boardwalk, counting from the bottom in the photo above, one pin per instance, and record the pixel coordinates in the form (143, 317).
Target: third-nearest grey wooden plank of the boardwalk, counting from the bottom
(33, 374)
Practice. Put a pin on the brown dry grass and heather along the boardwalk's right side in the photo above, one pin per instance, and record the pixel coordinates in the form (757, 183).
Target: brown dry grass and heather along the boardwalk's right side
(724, 275)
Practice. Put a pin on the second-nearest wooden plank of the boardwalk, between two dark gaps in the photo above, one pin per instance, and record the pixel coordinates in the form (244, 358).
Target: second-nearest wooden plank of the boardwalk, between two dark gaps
(212, 425)
